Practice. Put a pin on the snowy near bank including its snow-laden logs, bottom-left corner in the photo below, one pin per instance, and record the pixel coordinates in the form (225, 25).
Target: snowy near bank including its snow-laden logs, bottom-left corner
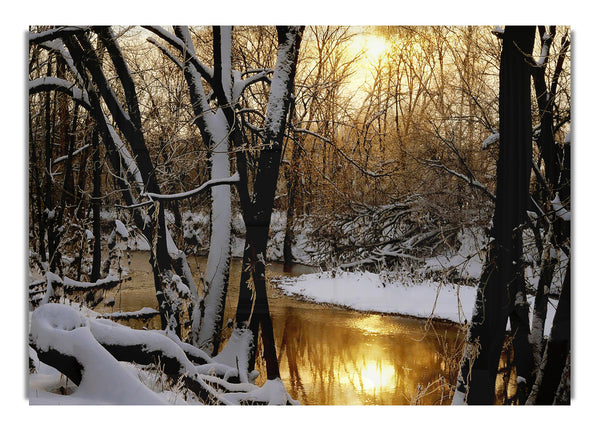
(76, 334)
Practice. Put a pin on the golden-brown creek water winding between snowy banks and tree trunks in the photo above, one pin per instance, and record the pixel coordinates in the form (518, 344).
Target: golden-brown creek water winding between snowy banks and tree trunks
(329, 355)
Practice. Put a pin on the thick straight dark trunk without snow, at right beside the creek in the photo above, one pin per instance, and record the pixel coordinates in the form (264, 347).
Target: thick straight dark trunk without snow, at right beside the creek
(502, 283)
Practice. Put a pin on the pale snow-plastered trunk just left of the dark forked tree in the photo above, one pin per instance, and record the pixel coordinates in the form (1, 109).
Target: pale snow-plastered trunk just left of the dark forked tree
(207, 317)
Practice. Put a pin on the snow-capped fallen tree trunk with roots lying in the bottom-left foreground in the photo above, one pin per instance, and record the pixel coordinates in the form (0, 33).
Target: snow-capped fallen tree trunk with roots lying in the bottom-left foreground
(90, 351)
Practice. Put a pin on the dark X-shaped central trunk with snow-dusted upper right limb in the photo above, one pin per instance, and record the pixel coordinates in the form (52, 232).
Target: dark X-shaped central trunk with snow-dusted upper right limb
(253, 306)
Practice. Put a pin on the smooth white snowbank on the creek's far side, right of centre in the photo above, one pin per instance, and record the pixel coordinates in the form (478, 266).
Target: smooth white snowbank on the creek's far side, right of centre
(391, 293)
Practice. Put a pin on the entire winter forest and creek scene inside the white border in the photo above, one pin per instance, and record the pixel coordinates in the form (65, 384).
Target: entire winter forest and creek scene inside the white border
(295, 215)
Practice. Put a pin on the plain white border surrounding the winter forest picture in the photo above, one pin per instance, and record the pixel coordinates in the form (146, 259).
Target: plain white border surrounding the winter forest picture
(14, 179)
